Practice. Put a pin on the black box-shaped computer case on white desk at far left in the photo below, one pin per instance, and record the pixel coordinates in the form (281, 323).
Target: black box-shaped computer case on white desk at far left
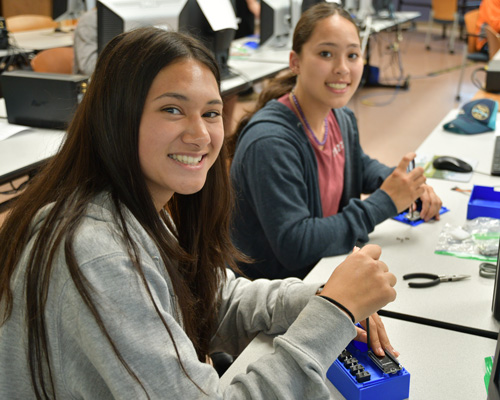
(42, 100)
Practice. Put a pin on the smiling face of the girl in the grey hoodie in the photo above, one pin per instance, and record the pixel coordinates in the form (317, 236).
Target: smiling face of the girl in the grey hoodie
(181, 131)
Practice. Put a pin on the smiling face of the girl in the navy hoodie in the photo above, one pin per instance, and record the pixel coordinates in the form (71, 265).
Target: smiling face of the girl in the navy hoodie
(330, 66)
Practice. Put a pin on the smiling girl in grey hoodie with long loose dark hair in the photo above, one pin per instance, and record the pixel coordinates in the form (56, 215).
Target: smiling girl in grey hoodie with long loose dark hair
(113, 279)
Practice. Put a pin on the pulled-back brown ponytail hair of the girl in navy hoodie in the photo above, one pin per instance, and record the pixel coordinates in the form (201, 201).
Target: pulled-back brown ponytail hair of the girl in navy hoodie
(285, 82)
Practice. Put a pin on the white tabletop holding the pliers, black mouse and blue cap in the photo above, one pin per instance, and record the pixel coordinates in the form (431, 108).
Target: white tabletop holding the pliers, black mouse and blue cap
(465, 304)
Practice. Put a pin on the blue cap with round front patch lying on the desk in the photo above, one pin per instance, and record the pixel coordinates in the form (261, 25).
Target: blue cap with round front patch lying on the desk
(476, 116)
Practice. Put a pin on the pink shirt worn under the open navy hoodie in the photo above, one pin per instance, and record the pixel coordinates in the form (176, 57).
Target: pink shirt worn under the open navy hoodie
(330, 160)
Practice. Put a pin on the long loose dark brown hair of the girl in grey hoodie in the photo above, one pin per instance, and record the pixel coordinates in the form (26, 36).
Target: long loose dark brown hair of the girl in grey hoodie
(101, 154)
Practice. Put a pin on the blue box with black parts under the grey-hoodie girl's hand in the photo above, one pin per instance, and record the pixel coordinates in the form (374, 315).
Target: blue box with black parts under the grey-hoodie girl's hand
(355, 374)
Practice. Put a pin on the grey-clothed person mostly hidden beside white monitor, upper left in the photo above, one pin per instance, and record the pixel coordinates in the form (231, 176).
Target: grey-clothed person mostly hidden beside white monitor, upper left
(85, 43)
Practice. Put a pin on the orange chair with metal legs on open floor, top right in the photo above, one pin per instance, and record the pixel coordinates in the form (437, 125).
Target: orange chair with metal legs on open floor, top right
(443, 12)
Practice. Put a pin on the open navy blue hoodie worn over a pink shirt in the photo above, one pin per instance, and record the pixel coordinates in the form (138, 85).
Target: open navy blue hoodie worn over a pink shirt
(278, 220)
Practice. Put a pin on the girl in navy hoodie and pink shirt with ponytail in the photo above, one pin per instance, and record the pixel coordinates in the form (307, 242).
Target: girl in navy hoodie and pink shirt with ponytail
(298, 167)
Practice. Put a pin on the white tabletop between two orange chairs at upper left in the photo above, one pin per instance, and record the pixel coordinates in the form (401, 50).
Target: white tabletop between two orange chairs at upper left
(39, 39)
